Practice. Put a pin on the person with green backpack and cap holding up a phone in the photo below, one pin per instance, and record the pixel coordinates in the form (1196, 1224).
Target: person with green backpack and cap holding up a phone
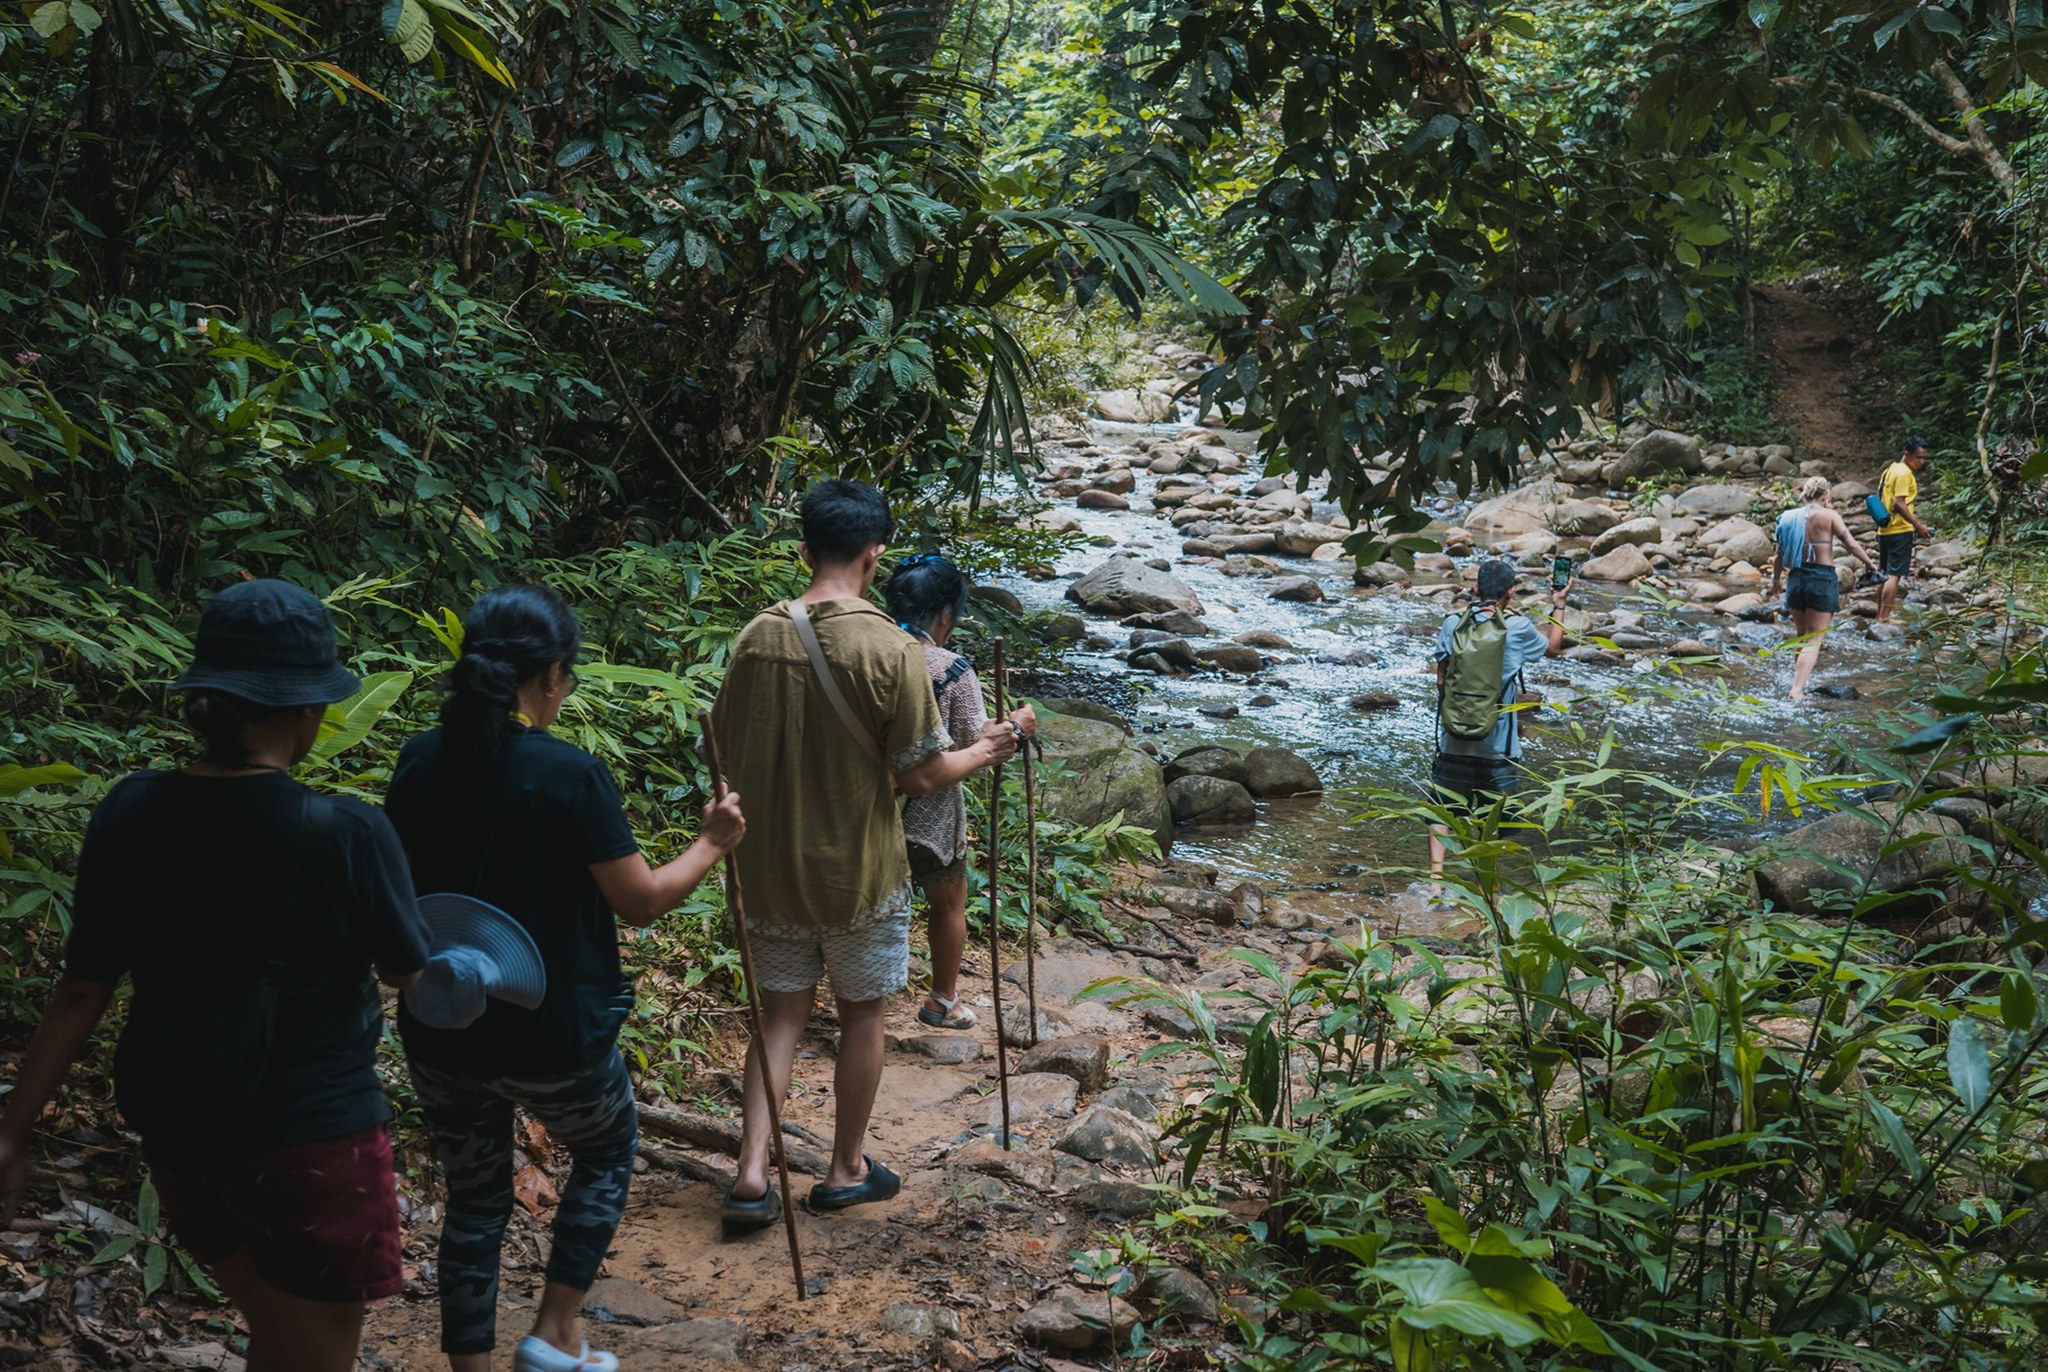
(1480, 658)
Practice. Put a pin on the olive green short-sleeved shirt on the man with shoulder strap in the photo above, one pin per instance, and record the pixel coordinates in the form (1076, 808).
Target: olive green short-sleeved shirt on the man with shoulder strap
(824, 849)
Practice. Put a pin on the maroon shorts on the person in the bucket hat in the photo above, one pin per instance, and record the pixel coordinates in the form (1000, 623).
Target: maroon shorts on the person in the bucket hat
(318, 1219)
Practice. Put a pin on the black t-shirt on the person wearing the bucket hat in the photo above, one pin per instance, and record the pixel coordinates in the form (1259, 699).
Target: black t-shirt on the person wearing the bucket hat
(194, 884)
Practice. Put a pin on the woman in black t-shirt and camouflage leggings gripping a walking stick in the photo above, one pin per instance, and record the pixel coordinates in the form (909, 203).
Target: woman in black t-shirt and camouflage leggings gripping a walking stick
(495, 808)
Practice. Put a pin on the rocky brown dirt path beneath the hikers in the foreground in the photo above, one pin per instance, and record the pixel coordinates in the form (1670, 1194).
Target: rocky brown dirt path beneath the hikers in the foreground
(933, 1279)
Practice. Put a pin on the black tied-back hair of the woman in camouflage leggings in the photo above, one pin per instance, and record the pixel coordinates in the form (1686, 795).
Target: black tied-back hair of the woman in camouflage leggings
(511, 636)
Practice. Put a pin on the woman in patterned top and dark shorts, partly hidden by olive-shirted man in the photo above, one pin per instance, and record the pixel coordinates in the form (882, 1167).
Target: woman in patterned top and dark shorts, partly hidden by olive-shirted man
(929, 597)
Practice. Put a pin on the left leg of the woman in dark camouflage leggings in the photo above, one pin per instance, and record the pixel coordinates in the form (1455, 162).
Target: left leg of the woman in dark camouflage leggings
(474, 1140)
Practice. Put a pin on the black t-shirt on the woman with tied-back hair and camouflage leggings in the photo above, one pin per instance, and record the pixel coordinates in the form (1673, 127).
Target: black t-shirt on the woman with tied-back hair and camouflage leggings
(523, 839)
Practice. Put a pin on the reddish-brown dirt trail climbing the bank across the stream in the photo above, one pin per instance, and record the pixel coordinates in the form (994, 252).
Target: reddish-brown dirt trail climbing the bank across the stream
(1830, 372)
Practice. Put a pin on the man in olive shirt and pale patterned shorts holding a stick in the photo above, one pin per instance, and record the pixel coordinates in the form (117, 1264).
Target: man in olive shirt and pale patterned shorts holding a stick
(824, 716)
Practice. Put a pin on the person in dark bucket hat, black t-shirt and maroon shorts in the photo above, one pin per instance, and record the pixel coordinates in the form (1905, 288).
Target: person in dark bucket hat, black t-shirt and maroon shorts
(251, 916)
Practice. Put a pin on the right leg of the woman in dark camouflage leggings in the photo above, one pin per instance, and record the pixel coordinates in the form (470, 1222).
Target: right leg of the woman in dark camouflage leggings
(593, 1115)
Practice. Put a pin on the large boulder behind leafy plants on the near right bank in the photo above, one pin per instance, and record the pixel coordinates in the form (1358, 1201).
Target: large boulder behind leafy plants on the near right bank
(1930, 849)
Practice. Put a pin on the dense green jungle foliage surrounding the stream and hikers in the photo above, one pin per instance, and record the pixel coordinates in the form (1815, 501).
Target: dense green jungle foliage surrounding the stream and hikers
(404, 300)
